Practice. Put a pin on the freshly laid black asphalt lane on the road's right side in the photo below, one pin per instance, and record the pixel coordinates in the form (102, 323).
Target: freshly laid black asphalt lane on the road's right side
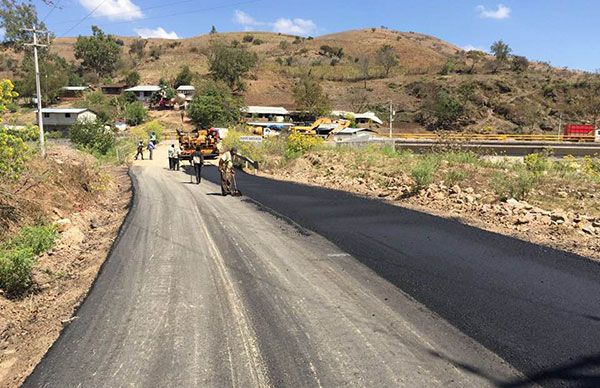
(537, 308)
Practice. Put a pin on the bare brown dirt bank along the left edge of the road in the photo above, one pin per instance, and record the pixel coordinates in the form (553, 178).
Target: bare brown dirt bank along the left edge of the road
(88, 203)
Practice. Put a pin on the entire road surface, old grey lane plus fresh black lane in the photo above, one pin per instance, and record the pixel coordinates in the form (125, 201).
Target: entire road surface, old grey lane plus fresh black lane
(313, 287)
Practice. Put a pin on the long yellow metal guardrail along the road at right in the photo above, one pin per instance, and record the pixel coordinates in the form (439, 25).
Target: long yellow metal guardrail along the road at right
(490, 137)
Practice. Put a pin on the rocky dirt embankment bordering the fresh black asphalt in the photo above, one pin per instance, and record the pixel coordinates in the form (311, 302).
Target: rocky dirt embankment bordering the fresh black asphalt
(561, 214)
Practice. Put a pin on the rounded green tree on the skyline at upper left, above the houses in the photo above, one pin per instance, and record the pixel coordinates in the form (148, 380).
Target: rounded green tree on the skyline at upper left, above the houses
(99, 53)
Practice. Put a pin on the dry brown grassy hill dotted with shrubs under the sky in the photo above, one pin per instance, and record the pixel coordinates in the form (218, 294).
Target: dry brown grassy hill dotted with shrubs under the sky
(432, 76)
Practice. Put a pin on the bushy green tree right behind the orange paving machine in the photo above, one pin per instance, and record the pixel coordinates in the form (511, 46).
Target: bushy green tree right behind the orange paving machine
(214, 106)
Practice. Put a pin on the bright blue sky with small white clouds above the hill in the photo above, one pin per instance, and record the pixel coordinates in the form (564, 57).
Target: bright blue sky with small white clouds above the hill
(562, 32)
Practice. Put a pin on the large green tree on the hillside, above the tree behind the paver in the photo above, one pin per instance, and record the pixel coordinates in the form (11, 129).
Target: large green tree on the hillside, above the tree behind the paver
(230, 65)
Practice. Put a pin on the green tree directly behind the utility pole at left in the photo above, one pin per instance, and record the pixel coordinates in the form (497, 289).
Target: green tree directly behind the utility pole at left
(54, 74)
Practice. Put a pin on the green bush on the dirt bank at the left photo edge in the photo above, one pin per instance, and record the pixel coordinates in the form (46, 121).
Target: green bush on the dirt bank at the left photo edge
(17, 258)
